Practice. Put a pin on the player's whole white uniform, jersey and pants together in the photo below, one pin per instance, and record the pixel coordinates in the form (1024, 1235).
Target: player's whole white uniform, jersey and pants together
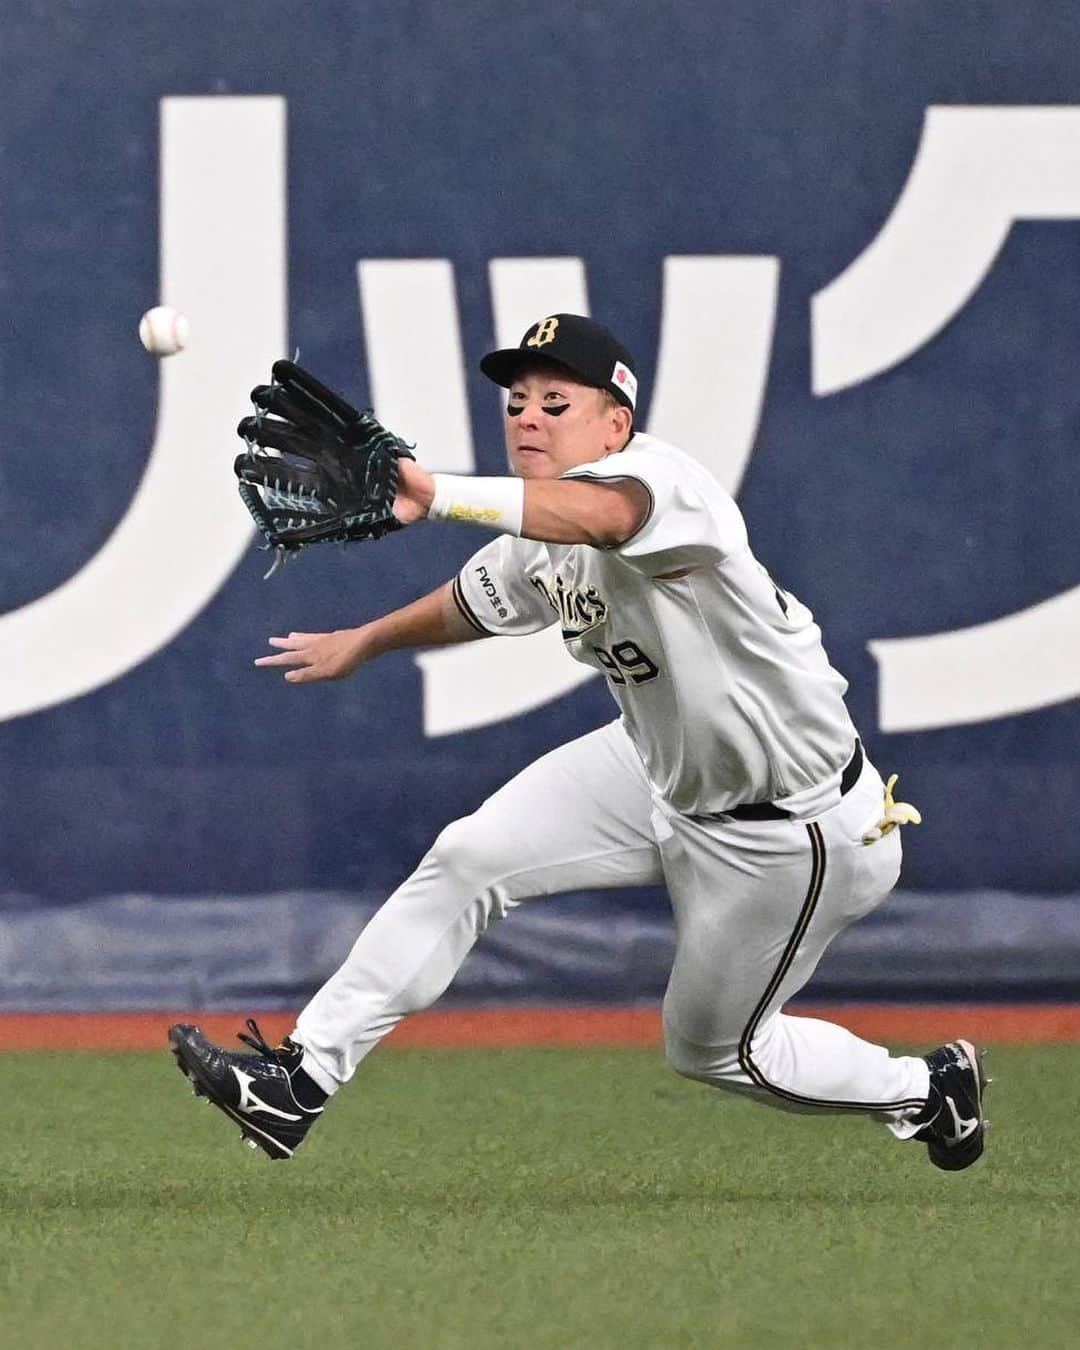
(727, 700)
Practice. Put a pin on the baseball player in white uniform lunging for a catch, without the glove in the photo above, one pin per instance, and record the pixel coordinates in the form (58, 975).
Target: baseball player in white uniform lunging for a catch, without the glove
(732, 774)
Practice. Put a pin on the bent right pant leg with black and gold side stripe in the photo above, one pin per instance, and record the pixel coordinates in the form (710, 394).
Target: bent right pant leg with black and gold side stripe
(757, 904)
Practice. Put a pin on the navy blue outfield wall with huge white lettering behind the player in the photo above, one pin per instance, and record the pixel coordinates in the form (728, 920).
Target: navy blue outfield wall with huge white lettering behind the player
(843, 240)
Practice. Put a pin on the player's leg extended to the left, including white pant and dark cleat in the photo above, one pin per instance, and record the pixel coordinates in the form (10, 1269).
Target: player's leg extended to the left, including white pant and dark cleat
(577, 819)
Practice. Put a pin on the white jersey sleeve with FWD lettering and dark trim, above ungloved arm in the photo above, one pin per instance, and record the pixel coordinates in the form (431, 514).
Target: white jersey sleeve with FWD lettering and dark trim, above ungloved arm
(495, 592)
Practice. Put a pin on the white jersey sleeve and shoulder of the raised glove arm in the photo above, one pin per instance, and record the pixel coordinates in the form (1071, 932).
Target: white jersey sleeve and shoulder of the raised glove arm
(692, 519)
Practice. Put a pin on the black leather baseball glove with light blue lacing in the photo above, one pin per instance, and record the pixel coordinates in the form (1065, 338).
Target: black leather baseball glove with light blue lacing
(315, 470)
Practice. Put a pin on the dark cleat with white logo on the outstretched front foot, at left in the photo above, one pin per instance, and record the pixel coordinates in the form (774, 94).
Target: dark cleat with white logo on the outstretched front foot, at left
(257, 1091)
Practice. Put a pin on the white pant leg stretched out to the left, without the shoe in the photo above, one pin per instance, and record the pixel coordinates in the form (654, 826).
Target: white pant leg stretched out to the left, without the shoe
(577, 819)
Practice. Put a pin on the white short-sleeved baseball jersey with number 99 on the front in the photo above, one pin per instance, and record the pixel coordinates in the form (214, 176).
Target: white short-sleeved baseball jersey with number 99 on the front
(722, 678)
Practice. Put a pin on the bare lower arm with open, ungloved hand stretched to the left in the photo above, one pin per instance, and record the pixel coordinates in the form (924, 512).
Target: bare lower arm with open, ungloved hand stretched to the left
(431, 622)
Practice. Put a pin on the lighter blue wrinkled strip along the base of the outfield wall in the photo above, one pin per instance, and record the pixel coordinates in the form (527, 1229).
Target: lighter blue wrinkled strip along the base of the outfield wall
(151, 954)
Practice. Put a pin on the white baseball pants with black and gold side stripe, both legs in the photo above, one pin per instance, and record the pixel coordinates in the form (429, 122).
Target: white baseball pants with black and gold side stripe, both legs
(755, 904)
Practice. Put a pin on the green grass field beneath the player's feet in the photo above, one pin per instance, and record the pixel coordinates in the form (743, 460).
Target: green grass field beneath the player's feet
(529, 1198)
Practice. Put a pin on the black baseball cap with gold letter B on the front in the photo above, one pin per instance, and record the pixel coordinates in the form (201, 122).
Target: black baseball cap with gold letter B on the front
(585, 348)
